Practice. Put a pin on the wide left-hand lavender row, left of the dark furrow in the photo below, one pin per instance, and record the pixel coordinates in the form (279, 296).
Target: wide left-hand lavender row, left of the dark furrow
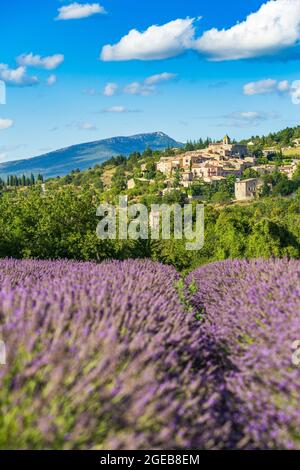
(101, 356)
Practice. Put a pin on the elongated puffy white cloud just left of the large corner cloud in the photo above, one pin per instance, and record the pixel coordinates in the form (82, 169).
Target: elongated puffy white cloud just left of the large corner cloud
(157, 42)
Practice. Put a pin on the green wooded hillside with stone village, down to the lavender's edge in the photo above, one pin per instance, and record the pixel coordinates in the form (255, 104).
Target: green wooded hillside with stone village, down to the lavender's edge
(251, 196)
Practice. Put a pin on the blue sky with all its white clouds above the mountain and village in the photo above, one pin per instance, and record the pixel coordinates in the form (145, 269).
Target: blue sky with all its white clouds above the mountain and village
(76, 72)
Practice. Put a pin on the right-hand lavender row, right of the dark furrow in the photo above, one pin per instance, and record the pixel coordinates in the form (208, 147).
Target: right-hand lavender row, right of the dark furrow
(251, 317)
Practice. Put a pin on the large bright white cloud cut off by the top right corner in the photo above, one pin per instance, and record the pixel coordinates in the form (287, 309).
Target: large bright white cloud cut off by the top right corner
(273, 28)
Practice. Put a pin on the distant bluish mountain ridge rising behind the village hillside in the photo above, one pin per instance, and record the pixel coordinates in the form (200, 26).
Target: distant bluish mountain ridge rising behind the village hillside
(83, 156)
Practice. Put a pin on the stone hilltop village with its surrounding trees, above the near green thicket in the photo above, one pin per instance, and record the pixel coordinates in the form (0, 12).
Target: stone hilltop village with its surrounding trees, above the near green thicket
(208, 171)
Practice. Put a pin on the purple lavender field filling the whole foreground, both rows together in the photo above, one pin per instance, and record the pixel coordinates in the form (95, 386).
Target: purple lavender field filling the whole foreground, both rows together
(127, 355)
